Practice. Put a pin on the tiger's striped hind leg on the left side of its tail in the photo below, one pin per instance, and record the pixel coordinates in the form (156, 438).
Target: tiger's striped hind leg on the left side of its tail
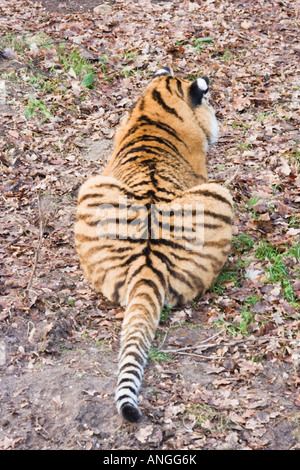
(104, 205)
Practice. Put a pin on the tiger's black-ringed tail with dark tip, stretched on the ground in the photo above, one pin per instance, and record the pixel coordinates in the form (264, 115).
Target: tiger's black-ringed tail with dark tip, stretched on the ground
(141, 319)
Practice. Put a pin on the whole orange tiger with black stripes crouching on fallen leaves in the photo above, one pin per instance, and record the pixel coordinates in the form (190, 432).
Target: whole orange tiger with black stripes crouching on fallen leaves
(151, 230)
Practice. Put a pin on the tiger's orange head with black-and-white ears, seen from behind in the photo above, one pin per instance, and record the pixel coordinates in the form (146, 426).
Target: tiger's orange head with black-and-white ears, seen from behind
(178, 104)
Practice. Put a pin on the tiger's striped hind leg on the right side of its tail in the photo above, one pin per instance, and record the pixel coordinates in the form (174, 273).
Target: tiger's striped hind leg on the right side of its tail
(200, 253)
